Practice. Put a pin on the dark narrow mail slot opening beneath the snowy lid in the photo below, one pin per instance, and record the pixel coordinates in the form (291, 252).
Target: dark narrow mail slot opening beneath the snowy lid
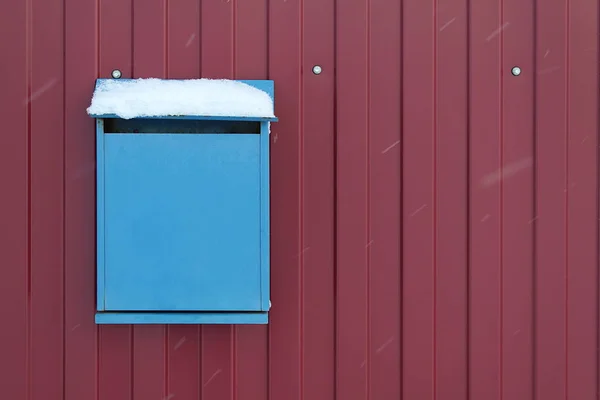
(117, 125)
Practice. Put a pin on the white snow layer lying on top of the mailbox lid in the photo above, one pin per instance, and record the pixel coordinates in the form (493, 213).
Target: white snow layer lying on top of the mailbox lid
(196, 97)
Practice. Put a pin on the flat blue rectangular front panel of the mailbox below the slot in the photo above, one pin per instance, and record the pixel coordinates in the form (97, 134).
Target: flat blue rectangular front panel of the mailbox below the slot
(182, 221)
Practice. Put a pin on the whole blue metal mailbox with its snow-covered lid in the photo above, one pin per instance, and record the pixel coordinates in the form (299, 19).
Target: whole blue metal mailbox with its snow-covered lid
(182, 200)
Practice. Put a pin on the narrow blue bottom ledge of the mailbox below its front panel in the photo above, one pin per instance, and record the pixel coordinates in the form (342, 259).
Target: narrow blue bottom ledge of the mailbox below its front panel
(182, 318)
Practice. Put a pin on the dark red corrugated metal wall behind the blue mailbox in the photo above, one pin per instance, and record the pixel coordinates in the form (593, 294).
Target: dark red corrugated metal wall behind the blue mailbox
(434, 218)
